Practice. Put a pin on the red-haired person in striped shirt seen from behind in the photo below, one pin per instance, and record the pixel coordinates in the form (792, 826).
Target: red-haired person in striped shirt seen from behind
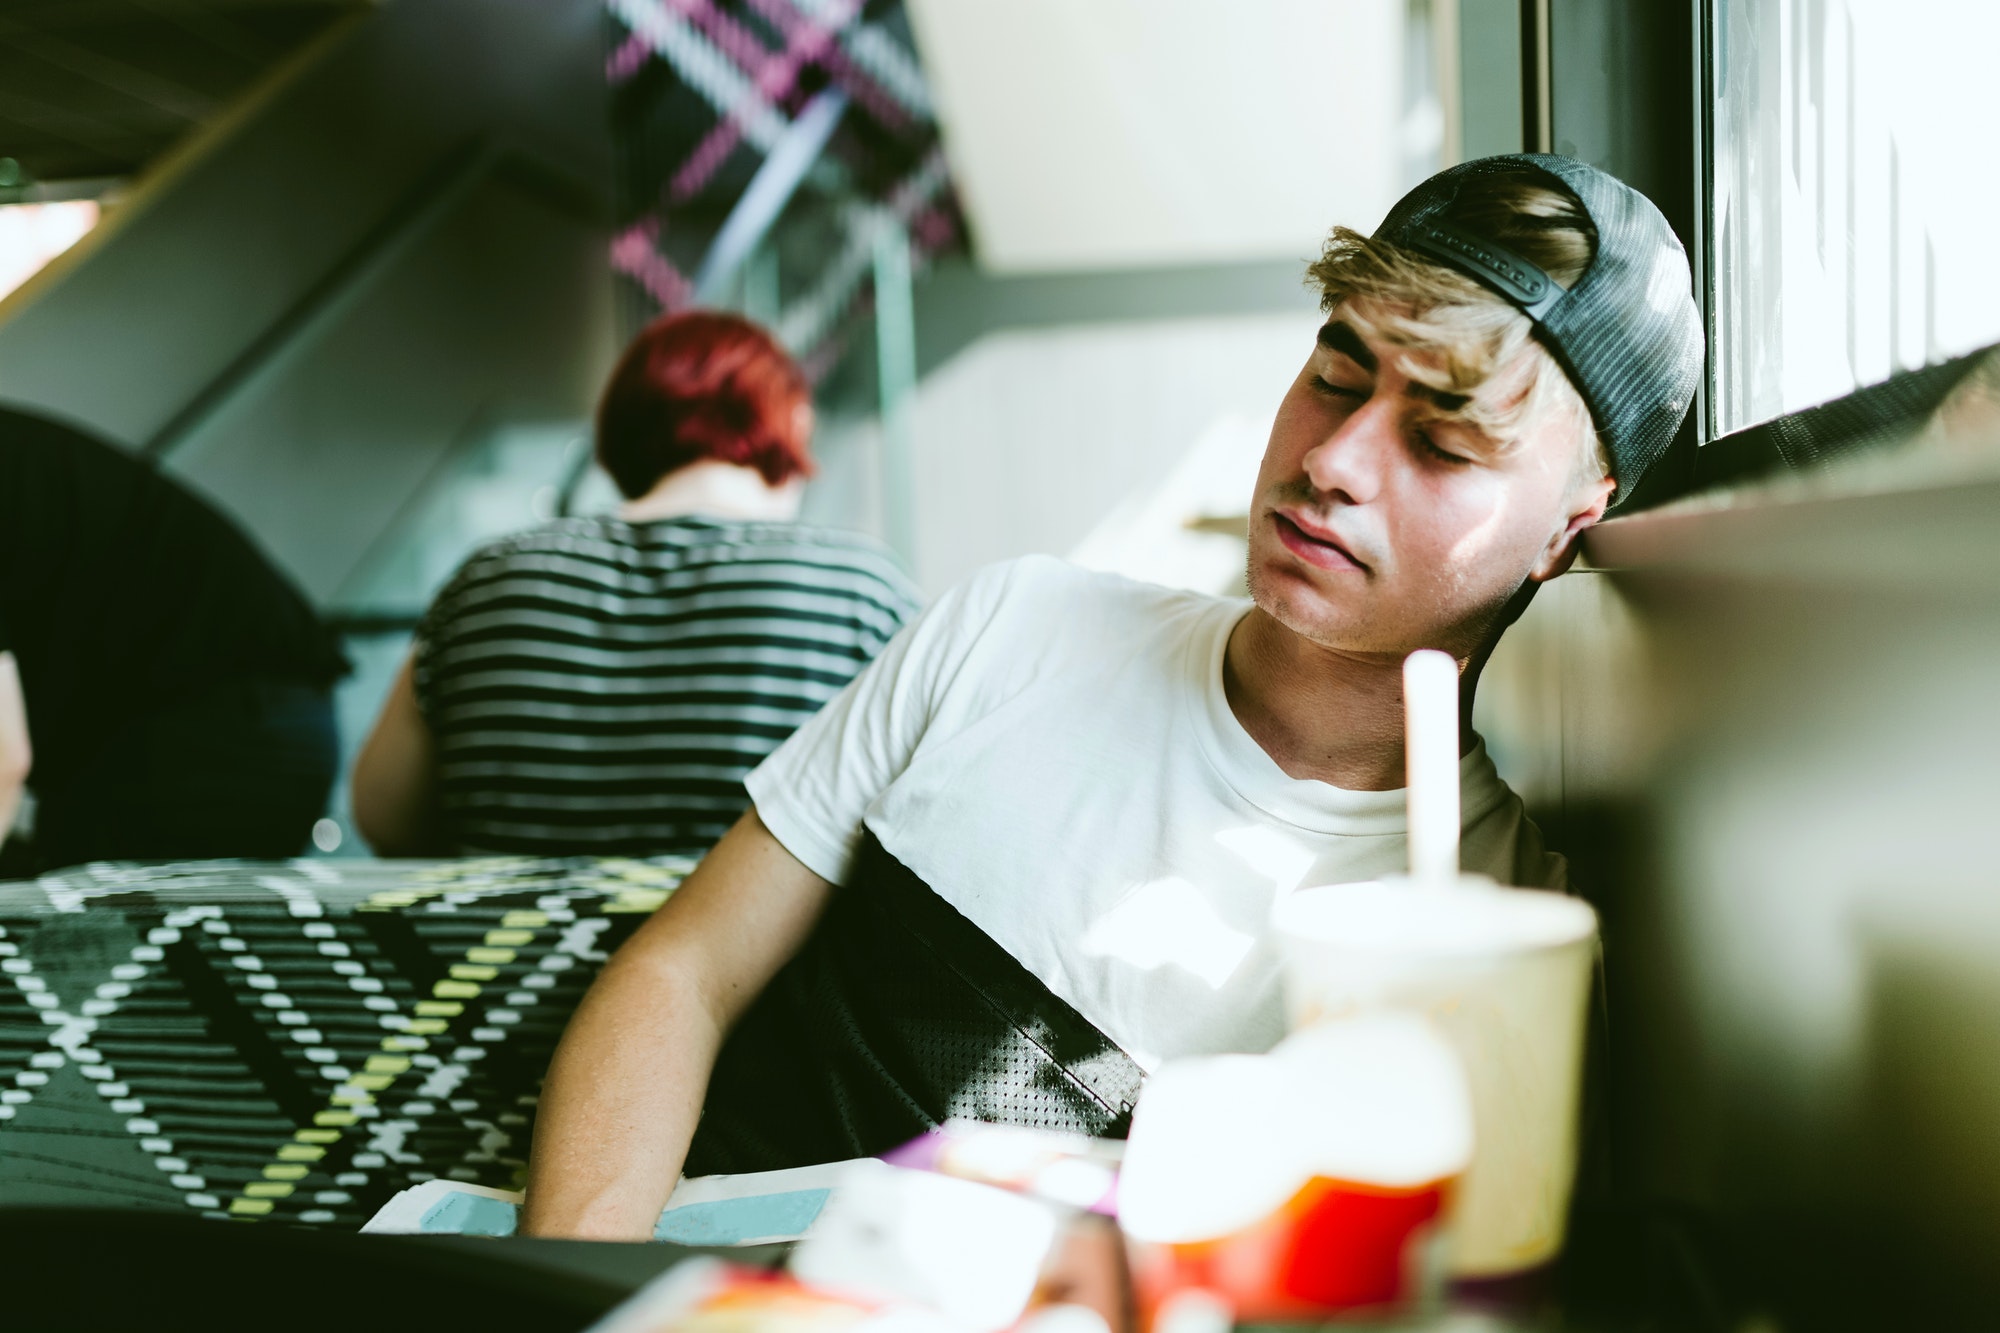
(603, 686)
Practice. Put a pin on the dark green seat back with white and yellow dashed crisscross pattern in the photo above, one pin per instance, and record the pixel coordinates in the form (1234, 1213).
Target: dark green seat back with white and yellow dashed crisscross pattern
(291, 1042)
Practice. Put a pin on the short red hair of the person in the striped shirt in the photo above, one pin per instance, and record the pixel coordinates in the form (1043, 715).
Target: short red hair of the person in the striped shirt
(705, 385)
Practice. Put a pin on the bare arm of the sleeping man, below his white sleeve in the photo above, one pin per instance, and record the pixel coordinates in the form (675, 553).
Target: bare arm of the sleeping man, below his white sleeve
(627, 1086)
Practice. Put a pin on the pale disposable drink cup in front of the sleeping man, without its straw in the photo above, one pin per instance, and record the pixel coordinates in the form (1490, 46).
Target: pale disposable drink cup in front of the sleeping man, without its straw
(1507, 976)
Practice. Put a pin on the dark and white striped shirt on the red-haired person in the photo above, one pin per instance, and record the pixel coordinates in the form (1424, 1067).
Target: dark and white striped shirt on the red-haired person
(603, 686)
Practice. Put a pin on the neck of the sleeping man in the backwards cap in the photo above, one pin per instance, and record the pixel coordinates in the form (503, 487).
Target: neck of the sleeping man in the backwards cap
(1323, 716)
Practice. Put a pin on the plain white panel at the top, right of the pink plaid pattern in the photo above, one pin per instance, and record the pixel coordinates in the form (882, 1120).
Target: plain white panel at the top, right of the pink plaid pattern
(1115, 133)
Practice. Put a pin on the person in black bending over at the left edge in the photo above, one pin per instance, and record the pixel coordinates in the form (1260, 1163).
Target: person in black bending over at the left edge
(175, 686)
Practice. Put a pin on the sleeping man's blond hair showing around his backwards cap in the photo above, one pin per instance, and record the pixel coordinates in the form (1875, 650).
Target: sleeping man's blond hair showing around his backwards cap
(1467, 337)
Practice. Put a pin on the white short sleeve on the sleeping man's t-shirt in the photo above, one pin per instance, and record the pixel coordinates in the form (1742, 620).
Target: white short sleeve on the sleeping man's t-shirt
(817, 788)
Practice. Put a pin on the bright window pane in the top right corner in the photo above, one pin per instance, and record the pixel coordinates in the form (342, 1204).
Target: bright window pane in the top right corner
(1853, 201)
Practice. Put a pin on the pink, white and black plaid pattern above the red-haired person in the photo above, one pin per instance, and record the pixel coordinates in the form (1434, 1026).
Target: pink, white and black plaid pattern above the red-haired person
(707, 89)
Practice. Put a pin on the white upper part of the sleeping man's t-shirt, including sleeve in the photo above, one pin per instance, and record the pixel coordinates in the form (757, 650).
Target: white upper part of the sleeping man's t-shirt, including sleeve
(1053, 754)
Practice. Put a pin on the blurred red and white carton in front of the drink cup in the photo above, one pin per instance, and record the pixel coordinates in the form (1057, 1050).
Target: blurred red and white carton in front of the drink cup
(1303, 1182)
